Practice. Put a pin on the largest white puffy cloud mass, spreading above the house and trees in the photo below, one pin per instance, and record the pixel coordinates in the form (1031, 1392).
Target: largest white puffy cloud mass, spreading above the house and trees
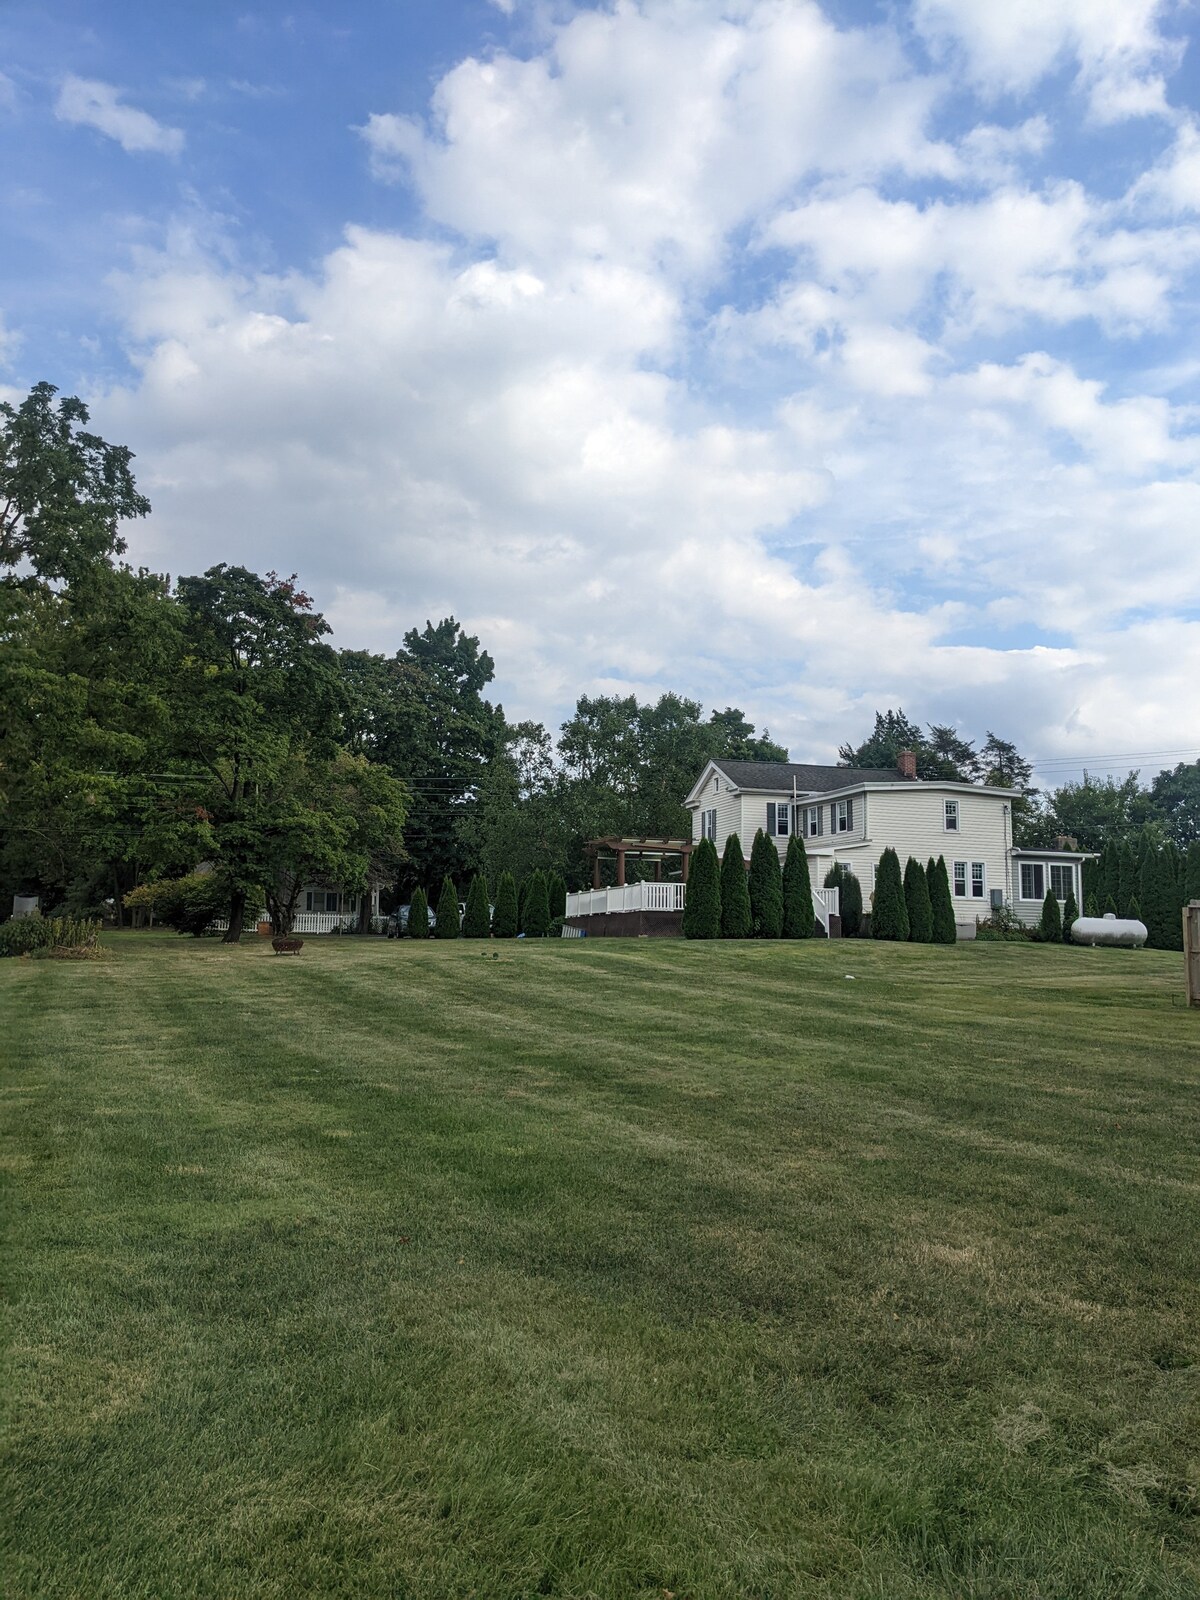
(727, 366)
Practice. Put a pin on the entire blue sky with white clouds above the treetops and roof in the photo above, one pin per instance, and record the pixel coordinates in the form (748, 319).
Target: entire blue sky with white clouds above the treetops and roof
(801, 356)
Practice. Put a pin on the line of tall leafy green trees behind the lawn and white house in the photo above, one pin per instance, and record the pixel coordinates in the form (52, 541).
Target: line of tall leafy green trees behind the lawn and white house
(151, 727)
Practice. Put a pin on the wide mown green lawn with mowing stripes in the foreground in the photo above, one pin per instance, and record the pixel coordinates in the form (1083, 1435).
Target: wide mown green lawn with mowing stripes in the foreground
(601, 1270)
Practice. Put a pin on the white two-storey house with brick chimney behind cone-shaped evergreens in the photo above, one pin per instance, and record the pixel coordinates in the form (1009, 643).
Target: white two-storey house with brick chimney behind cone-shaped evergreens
(854, 815)
